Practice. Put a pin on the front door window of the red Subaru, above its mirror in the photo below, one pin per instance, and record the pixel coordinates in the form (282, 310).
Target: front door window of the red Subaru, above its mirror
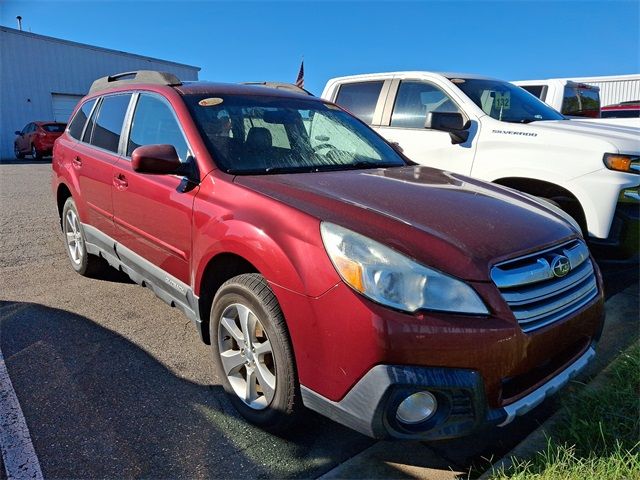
(154, 123)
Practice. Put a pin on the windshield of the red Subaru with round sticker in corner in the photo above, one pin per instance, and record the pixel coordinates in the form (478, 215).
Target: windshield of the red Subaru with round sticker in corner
(262, 135)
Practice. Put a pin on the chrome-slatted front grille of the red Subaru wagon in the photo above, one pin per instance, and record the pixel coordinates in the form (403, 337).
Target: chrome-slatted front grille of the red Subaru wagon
(536, 295)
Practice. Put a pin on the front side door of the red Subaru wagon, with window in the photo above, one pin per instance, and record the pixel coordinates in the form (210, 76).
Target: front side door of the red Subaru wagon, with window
(153, 213)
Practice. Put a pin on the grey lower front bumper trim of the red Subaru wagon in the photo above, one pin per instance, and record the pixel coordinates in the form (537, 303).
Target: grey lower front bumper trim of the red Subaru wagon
(370, 406)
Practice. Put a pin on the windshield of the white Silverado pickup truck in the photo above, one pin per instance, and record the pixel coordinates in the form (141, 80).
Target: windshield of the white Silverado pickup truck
(505, 102)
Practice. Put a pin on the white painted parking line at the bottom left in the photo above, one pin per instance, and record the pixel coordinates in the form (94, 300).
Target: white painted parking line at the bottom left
(18, 454)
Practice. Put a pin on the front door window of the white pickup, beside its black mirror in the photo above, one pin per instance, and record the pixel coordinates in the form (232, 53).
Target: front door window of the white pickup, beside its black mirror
(415, 100)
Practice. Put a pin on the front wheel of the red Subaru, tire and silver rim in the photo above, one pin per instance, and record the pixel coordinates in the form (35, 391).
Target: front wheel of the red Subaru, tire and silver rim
(268, 365)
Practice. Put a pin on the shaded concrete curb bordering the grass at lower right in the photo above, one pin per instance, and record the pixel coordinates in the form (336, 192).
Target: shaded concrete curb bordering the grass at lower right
(621, 303)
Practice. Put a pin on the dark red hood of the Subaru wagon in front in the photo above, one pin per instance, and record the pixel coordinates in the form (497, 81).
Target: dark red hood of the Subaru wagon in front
(459, 225)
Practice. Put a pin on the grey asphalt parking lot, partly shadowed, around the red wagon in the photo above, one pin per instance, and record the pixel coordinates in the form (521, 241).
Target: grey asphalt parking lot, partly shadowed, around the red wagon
(115, 383)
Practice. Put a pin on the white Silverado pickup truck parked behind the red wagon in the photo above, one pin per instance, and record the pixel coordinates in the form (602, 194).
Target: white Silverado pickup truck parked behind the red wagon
(495, 131)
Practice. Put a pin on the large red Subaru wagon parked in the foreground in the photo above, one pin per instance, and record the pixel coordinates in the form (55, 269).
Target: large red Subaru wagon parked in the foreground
(323, 267)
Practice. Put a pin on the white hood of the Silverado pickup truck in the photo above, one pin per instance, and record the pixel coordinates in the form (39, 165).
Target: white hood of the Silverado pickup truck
(623, 139)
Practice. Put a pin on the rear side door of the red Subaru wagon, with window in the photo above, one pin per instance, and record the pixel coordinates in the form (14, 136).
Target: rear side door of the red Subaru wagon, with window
(94, 157)
